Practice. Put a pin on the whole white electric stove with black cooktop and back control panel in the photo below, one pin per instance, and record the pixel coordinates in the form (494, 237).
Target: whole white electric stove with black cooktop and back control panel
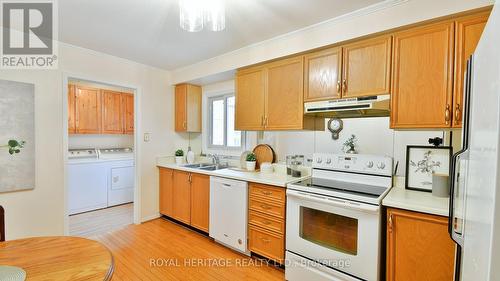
(333, 225)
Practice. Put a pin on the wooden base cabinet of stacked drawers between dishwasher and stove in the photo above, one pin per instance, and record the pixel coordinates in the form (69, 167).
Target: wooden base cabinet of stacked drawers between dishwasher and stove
(266, 221)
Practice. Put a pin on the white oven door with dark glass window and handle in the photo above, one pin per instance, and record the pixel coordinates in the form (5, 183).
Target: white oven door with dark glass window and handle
(341, 234)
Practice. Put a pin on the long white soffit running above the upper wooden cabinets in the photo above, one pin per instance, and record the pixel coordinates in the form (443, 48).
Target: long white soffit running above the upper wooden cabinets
(387, 15)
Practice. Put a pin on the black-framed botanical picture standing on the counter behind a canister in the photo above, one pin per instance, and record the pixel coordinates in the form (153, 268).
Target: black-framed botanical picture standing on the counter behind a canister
(422, 162)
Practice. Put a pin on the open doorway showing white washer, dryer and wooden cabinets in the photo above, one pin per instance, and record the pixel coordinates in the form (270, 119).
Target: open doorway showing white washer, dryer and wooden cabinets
(100, 147)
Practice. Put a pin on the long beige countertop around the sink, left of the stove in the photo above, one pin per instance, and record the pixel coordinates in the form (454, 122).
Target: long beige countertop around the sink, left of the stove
(278, 178)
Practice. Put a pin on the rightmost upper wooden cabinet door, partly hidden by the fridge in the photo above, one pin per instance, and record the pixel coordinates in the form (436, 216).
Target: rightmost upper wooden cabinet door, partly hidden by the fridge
(468, 33)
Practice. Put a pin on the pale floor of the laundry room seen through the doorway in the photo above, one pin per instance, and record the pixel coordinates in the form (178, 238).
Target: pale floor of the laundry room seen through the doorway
(101, 221)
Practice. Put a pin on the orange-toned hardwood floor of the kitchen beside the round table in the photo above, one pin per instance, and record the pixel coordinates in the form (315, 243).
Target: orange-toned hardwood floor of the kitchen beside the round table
(163, 250)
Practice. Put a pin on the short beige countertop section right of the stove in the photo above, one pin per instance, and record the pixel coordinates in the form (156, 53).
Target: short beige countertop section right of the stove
(417, 201)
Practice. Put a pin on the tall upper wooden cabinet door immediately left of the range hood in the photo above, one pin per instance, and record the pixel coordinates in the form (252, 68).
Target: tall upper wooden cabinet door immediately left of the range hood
(285, 95)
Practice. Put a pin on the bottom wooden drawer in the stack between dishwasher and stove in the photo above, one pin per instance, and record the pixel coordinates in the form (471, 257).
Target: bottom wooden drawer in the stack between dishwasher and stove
(267, 244)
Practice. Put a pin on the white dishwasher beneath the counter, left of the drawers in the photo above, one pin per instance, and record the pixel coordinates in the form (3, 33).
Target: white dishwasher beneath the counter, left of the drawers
(228, 213)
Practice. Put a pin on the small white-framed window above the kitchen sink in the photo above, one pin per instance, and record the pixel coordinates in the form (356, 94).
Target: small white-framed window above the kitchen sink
(221, 123)
